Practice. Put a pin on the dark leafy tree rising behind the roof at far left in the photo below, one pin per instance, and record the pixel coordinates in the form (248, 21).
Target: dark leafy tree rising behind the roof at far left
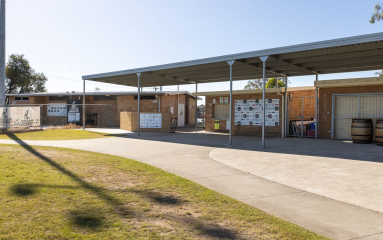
(21, 78)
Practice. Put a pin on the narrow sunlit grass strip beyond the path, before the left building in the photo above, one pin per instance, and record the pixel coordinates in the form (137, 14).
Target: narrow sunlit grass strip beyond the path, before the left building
(57, 134)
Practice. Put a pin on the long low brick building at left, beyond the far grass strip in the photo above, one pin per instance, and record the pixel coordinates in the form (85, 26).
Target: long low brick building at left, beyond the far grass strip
(105, 107)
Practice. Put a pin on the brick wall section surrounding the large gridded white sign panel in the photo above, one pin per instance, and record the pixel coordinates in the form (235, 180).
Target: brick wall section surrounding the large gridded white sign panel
(271, 131)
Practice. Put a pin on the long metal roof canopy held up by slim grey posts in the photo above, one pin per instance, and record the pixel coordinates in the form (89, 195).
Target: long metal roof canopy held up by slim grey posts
(359, 53)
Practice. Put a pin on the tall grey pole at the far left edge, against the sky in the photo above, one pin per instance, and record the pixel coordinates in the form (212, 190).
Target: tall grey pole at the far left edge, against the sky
(2, 52)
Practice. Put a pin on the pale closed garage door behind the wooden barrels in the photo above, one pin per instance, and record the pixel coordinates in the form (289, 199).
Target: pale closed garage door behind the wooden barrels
(347, 107)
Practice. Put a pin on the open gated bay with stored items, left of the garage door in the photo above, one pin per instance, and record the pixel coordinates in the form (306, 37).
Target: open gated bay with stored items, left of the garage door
(301, 116)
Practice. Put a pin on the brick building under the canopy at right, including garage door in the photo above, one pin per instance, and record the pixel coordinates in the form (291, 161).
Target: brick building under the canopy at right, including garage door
(338, 102)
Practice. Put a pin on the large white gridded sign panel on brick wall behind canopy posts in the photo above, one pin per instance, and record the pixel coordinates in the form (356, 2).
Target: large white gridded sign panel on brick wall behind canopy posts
(249, 112)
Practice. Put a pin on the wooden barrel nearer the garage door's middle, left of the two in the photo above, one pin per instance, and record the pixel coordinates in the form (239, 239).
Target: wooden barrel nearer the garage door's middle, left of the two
(362, 130)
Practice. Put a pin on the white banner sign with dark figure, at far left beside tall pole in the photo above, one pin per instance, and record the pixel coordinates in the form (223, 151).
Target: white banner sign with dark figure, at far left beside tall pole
(19, 116)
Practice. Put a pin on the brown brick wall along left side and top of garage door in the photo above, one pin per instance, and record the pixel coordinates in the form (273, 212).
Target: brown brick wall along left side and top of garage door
(325, 104)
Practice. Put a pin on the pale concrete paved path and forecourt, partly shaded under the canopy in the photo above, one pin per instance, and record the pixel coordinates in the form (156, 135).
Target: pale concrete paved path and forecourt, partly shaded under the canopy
(187, 155)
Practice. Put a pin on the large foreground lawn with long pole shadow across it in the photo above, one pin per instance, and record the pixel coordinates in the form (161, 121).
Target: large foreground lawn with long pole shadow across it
(53, 193)
